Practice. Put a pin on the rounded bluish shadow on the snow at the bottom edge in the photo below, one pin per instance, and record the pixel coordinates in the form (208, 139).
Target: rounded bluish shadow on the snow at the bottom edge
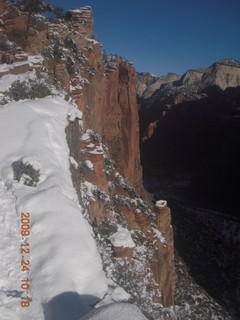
(68, 306)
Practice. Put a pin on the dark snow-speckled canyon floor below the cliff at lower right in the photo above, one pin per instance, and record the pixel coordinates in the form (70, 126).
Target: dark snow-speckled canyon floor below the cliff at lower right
(207, 246)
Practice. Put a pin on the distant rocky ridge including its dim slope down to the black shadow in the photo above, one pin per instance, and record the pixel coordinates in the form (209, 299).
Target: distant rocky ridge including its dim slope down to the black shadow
(162, 93)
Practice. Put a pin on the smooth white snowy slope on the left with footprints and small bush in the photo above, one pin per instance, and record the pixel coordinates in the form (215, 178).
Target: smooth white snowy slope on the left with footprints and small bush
(63, 254)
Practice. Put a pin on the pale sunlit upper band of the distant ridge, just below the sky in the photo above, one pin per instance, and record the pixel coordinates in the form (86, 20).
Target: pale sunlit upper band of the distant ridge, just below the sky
(223, 73)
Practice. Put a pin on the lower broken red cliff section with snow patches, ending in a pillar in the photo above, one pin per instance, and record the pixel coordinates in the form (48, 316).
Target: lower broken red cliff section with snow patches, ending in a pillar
(145, 270)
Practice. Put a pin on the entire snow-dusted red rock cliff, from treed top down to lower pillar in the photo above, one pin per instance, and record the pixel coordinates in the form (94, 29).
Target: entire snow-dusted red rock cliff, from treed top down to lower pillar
(104, 145)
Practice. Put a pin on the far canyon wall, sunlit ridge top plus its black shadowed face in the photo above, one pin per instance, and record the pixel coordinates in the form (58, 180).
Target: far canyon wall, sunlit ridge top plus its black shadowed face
(193, 123)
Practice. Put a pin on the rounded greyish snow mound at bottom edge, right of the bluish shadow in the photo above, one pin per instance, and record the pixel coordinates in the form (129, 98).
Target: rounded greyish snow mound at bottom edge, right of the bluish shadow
(118, 311)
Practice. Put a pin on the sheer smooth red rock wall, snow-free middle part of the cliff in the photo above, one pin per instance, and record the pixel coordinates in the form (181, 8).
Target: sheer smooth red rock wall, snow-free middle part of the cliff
(110, 109)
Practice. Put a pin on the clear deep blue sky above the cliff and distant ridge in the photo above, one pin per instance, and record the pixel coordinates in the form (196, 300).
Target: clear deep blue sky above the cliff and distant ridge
(166, 36)
